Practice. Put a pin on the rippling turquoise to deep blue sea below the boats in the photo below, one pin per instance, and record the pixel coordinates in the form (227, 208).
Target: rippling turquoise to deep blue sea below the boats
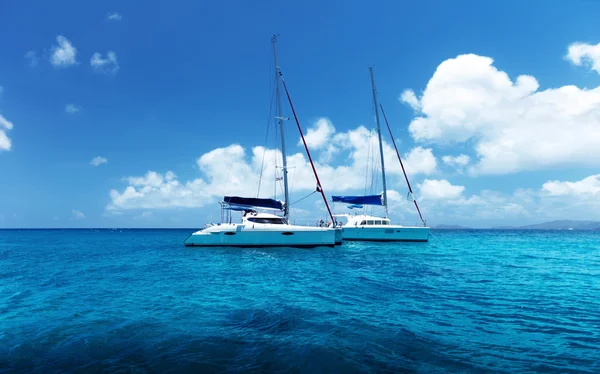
(139, 301)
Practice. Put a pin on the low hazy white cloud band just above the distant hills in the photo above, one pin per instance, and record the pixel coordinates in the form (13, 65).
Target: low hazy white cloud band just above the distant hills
(443, 202)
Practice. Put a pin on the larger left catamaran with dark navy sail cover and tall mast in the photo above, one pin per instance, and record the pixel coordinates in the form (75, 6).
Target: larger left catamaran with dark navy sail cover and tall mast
(259, 229)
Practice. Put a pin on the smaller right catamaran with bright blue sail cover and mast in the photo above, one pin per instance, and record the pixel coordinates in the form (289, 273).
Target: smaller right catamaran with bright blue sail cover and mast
(364, 227)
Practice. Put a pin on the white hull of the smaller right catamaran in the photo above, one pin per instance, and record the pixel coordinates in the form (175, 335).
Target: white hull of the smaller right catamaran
(386, 234)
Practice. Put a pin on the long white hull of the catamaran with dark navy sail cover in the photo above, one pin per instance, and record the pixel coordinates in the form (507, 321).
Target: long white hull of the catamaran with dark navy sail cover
(259, 238)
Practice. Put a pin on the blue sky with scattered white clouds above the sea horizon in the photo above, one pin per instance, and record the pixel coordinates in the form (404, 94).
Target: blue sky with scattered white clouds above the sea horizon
(188, 78)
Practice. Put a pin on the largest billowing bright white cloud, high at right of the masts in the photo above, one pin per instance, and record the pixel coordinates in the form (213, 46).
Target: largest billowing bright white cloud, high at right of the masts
(512, 125)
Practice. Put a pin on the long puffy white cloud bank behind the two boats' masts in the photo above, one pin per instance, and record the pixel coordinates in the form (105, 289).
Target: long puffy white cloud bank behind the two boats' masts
(233, 170)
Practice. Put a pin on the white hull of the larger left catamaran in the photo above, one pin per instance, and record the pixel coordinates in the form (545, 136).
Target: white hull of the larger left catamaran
(244, 235)
